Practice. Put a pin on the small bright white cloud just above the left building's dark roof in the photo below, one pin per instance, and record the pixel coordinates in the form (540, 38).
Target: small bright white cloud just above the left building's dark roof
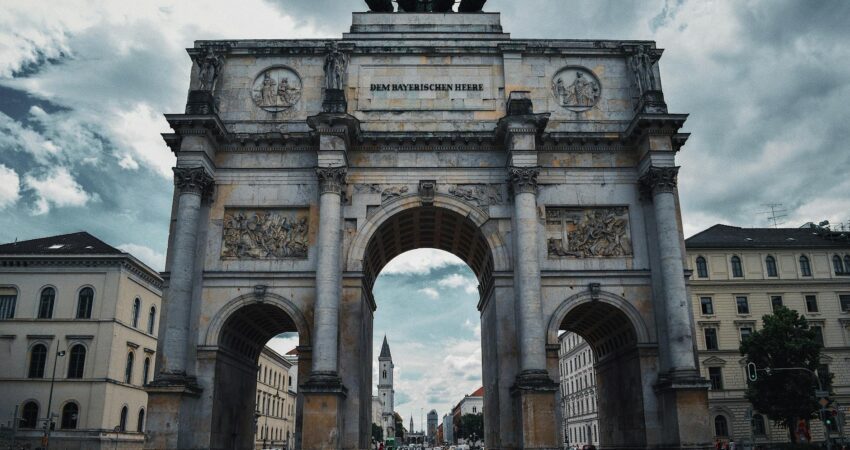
(57, 188)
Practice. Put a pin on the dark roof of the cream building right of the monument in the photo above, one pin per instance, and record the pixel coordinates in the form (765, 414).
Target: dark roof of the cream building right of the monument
(808, 236)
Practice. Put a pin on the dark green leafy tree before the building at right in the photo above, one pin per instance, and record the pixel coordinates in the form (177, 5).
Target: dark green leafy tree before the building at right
(786, 341)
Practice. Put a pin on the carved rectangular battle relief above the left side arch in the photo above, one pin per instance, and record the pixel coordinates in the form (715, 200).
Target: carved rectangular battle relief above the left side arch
(265, 233)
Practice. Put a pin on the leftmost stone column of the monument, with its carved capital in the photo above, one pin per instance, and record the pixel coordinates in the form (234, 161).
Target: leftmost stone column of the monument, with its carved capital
(192, 184)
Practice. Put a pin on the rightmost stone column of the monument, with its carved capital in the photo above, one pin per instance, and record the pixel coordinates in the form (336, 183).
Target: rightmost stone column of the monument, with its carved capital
(661, 183)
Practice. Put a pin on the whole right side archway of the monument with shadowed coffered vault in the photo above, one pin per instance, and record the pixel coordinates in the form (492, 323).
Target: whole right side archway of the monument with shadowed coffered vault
(600, 372)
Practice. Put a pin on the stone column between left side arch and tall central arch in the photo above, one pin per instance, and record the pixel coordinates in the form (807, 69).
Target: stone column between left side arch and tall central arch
(328, 271)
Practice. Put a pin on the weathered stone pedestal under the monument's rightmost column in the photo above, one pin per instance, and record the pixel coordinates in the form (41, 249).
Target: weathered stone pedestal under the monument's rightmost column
(683, 402)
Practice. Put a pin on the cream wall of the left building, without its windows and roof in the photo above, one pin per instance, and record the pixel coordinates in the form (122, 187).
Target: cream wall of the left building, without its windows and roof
(108, 337)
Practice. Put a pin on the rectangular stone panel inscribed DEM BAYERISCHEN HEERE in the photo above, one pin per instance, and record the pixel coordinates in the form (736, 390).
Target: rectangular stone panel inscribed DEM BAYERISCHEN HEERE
(431, 87)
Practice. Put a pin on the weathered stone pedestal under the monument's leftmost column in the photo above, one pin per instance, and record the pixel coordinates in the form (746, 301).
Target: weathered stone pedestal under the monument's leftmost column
(167, 407)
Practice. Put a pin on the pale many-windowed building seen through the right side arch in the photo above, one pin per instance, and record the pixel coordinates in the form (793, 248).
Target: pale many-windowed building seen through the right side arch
(578, 390)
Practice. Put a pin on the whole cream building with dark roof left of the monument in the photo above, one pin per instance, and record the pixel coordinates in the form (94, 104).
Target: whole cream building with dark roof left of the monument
(78, 297)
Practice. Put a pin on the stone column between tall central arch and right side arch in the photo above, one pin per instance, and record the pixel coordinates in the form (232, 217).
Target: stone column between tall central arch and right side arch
(527, 269)
